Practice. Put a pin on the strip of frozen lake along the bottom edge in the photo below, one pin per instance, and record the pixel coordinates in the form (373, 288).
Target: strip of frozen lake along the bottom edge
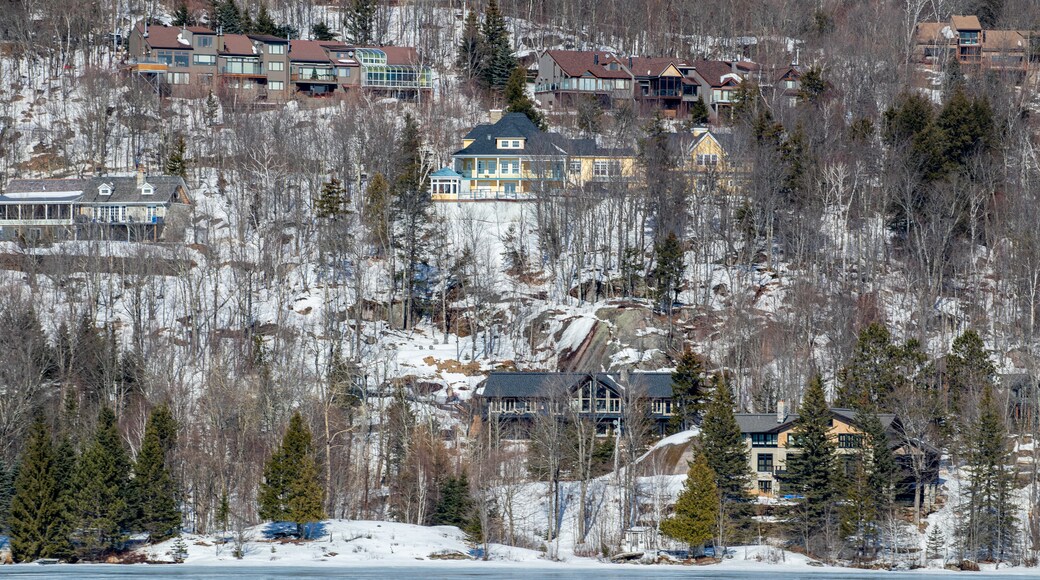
(449, 572)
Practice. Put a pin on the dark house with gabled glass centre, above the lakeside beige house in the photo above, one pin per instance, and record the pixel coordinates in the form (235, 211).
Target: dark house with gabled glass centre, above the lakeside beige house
(516, 399)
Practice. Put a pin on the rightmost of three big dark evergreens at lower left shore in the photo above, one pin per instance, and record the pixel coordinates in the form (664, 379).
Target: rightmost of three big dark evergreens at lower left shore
(154, 491)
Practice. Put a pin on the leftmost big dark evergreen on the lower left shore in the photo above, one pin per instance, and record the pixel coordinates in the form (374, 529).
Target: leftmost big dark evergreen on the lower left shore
(37, 512)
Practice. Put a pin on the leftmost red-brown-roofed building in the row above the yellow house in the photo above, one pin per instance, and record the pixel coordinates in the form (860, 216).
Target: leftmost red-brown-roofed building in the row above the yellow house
(567, 76)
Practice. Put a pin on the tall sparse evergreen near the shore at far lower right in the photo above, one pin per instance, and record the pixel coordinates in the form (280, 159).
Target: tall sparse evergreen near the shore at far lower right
(991, 525)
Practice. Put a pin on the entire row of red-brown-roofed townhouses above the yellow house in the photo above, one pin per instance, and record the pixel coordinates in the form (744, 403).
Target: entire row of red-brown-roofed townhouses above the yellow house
(659, 84)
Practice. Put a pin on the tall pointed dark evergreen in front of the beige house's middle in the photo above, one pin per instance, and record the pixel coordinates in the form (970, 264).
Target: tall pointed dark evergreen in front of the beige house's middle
(812, 470)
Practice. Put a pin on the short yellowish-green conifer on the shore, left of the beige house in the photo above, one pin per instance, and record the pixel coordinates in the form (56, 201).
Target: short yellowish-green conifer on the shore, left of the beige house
(697, 509)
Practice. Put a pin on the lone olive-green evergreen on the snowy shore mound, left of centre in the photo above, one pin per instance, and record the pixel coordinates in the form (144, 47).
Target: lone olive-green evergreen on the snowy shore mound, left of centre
(291, 491)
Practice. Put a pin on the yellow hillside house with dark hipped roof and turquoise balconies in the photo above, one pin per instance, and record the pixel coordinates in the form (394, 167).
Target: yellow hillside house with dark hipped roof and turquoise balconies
(511, 159)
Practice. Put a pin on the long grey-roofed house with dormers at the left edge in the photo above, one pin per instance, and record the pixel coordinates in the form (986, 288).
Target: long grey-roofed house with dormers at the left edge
(118, 208)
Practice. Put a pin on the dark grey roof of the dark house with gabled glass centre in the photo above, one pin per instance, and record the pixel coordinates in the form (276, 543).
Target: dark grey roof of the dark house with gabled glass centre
(535, 385)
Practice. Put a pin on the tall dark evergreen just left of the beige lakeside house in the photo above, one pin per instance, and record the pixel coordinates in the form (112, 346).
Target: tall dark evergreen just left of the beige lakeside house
(723, 444)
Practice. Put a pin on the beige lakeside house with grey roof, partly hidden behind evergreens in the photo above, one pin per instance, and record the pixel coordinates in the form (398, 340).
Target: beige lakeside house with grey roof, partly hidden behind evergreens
(770, 441)
